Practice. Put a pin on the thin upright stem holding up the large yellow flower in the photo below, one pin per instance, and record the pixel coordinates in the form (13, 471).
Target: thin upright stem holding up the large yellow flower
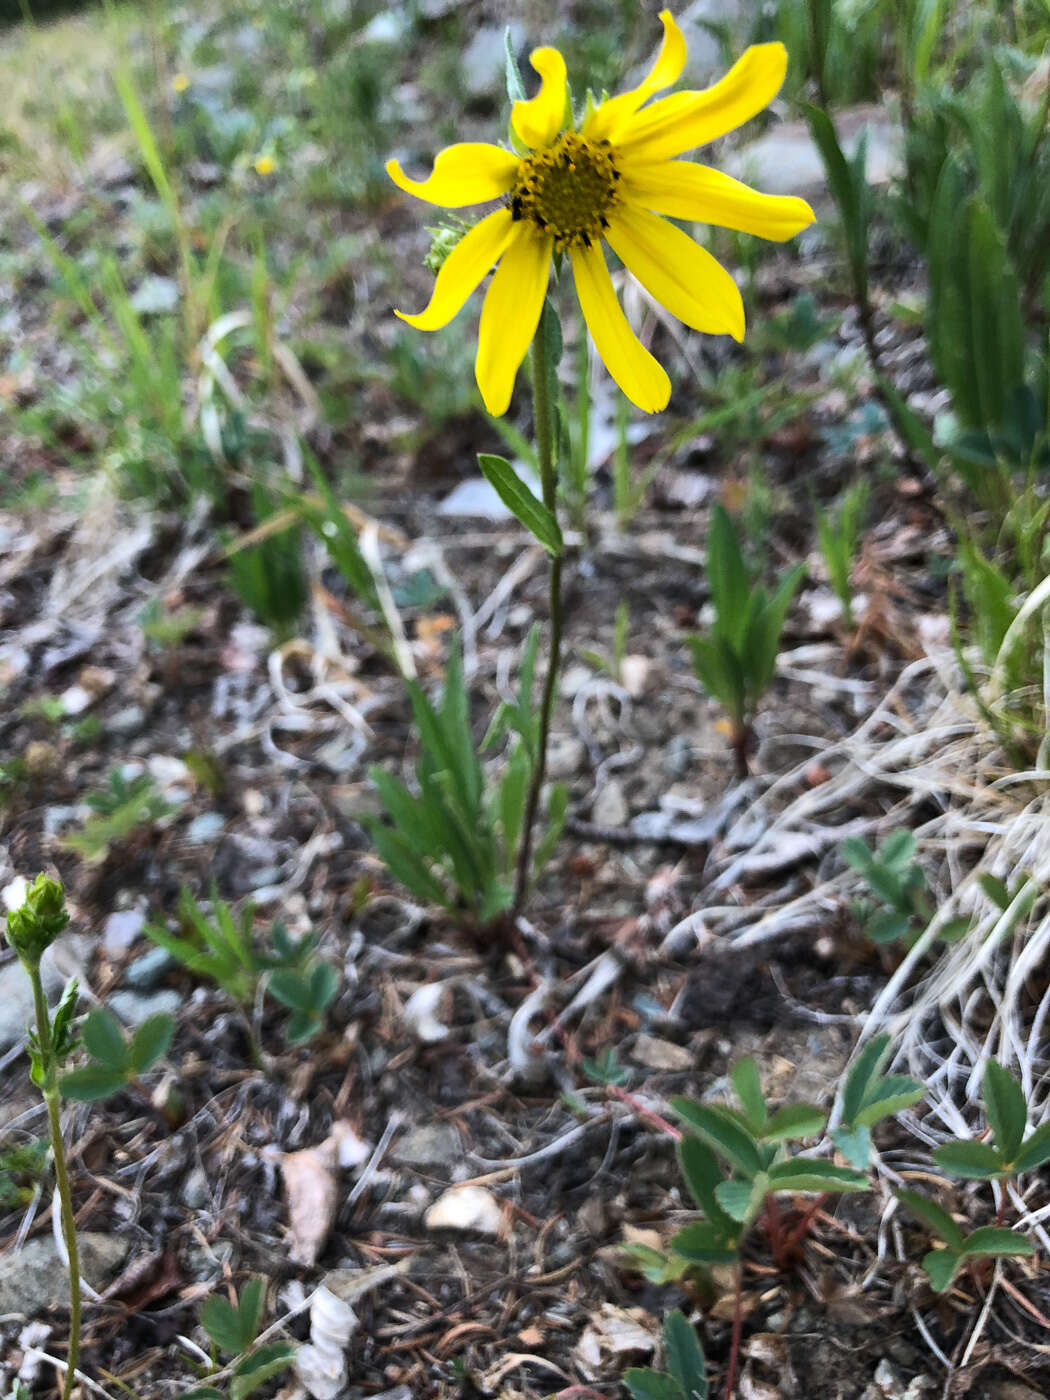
(544, 414)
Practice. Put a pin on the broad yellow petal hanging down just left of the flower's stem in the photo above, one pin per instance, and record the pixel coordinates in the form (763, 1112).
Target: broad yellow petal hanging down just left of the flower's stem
(510, 316)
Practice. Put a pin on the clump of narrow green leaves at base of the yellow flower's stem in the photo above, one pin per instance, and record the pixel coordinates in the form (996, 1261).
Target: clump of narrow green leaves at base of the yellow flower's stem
(456, 842)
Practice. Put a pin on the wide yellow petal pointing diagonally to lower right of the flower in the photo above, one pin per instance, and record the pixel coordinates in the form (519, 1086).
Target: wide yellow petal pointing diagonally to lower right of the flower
(680, 274)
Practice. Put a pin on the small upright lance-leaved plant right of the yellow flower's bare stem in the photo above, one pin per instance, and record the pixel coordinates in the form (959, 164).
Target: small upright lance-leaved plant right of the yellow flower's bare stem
(737, 659)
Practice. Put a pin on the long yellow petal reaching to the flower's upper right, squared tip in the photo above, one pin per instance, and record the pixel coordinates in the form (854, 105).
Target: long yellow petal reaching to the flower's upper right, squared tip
(682, 121)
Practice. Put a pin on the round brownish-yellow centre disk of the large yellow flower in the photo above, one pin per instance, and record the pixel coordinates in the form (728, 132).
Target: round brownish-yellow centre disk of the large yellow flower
(568, 191)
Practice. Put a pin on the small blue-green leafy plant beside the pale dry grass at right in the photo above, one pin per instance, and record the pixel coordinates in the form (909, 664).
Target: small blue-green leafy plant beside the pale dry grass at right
(902, 908)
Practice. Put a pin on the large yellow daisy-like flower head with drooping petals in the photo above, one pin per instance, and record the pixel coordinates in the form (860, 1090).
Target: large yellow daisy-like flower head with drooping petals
(608, 180)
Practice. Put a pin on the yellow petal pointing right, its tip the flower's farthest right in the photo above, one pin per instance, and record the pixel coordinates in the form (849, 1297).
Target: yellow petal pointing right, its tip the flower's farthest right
(698, 192)
